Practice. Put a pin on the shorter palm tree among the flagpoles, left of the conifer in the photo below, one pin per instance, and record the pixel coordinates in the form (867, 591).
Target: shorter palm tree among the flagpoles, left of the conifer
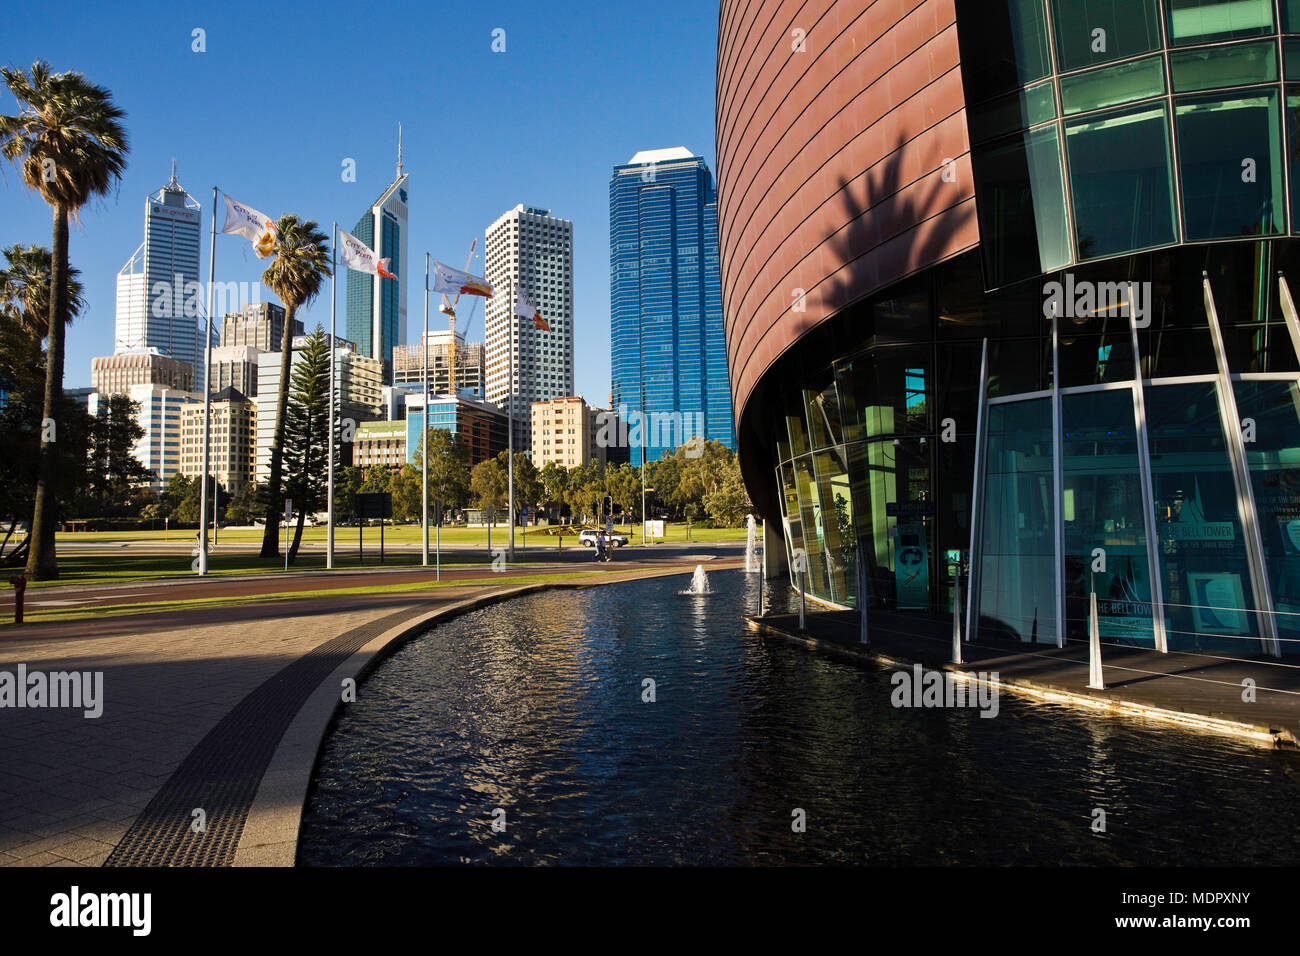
(296, 275)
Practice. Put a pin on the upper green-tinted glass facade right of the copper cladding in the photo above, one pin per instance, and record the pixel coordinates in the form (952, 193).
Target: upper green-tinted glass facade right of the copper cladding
(1103, 128)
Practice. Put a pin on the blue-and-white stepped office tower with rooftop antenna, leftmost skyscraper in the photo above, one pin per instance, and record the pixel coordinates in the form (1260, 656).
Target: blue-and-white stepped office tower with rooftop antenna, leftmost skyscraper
(161, 299)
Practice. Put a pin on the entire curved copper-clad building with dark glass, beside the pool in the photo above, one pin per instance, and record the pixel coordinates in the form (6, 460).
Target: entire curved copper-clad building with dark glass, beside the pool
(1002, 282)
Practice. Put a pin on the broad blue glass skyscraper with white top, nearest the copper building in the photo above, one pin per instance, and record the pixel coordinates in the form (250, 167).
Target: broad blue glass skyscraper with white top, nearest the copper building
(666, 317)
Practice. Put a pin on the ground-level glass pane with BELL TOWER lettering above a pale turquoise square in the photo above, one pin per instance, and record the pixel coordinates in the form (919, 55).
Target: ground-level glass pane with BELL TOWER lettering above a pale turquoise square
(1204, 570)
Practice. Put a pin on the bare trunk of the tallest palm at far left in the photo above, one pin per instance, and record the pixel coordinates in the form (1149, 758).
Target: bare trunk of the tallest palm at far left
(42, 563)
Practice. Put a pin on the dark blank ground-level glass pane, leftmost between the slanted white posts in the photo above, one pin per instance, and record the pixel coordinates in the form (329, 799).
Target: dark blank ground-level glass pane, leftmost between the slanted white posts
(1019, 556)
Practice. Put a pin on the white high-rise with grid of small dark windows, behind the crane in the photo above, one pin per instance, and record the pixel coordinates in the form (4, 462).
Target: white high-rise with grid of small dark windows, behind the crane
(530, 248)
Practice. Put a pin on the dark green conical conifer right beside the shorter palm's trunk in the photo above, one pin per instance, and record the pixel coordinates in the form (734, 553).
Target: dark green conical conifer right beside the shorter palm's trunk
(307, 432)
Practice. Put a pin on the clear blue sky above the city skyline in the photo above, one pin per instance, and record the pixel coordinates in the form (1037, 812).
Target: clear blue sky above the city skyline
(287, 92)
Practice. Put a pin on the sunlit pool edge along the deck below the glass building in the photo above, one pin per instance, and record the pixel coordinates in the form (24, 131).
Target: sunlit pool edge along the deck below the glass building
(1116, 707)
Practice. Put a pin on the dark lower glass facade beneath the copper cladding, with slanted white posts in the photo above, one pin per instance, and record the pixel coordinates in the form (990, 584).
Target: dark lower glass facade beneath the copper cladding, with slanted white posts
(1085, 478)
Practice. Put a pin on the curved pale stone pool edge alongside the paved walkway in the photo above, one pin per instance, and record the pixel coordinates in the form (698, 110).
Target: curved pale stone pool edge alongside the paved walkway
(271, 832)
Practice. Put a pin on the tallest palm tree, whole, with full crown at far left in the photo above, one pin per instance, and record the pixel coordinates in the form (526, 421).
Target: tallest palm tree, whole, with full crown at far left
(70, 146)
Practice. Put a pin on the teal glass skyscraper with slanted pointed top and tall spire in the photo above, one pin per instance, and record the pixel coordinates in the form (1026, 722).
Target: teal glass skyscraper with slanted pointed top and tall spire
(376, 308)
